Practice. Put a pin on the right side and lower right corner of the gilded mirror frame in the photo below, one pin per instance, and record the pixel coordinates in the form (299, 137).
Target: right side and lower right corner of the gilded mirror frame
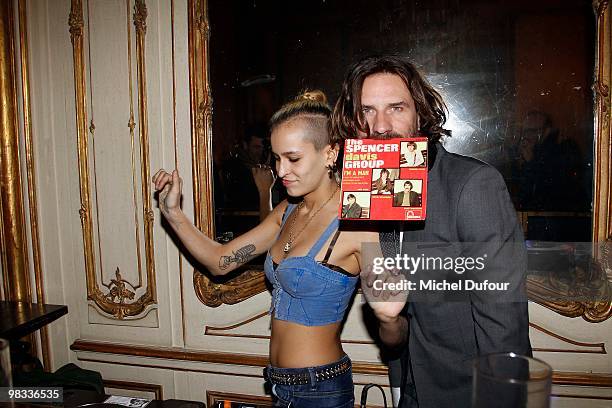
(596, 287)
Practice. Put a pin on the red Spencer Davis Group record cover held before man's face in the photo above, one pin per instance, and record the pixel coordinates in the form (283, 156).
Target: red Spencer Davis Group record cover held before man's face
(384, 179)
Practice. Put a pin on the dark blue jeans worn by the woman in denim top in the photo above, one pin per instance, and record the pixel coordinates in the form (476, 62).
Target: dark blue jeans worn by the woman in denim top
(337, 392)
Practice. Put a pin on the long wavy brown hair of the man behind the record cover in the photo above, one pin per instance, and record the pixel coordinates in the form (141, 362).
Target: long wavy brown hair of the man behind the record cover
(347, 118)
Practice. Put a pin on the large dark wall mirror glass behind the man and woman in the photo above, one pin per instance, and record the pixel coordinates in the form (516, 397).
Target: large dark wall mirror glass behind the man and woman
(517, 78)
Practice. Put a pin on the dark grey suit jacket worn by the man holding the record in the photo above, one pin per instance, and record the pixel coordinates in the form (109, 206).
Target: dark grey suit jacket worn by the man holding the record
(469, 214)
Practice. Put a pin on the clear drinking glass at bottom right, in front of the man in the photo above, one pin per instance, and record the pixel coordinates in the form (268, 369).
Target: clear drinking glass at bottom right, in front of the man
(508, 380)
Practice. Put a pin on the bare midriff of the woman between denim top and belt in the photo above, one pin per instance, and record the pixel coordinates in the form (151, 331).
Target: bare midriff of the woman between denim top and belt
(296, 346)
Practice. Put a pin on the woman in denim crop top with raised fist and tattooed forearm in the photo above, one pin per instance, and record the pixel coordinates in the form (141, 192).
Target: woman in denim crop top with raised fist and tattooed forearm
(313, 273)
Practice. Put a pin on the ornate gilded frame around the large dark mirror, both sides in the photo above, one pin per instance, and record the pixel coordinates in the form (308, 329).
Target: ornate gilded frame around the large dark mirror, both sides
(251, 282)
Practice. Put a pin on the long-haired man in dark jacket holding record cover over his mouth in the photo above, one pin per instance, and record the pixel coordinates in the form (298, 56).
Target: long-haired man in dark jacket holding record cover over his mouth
(469, 213)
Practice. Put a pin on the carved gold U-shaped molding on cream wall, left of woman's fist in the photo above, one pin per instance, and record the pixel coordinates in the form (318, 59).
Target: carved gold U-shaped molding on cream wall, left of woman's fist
(117, 297)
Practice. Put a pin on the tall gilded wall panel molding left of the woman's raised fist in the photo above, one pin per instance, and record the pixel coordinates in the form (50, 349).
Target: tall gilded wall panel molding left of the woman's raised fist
(115, 300)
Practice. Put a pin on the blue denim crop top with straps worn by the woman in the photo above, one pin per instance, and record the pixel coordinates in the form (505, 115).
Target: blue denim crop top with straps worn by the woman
(305, 291)
